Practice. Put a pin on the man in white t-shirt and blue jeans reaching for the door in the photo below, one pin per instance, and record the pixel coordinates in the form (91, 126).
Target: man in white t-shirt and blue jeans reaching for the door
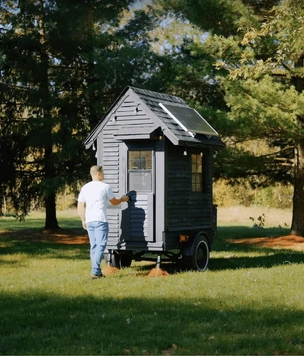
(92, 210)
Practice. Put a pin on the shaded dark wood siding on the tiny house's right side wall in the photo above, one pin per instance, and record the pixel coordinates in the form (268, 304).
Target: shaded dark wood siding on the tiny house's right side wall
(186, 209)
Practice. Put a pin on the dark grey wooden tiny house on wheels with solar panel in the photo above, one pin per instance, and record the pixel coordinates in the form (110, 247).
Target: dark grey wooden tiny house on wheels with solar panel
(159, 150)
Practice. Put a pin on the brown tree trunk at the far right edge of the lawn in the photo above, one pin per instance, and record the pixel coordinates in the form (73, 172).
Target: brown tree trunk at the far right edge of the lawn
(297, 226)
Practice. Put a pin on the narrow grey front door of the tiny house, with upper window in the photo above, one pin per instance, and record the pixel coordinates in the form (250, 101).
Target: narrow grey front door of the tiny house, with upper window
(140, 183)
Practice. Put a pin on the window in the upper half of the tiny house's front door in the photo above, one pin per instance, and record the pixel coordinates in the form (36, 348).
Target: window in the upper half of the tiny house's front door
(140, 170)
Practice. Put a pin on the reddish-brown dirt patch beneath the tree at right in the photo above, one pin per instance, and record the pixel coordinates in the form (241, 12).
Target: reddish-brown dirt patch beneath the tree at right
(290, 242)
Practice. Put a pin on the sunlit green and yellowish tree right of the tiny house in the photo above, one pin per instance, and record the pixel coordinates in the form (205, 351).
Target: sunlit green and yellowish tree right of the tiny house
(258, 49)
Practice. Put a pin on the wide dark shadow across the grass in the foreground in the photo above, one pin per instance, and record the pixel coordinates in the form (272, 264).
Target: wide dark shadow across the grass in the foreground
(37, 323)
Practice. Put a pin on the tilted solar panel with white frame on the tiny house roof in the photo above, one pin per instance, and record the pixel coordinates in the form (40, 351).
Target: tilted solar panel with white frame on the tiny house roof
(189, 119)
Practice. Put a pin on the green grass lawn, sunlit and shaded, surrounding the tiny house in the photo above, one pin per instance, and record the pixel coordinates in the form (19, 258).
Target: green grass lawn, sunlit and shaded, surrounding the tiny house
(249, 301)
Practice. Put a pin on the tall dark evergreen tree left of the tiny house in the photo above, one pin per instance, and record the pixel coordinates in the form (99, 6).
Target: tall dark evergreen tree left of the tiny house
(62, 63)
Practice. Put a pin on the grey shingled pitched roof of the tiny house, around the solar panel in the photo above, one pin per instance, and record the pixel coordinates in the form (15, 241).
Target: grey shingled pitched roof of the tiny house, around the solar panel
(171, 128)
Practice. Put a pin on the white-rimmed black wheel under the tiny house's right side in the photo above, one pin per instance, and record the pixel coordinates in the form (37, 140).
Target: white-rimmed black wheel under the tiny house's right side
(200, 255)
